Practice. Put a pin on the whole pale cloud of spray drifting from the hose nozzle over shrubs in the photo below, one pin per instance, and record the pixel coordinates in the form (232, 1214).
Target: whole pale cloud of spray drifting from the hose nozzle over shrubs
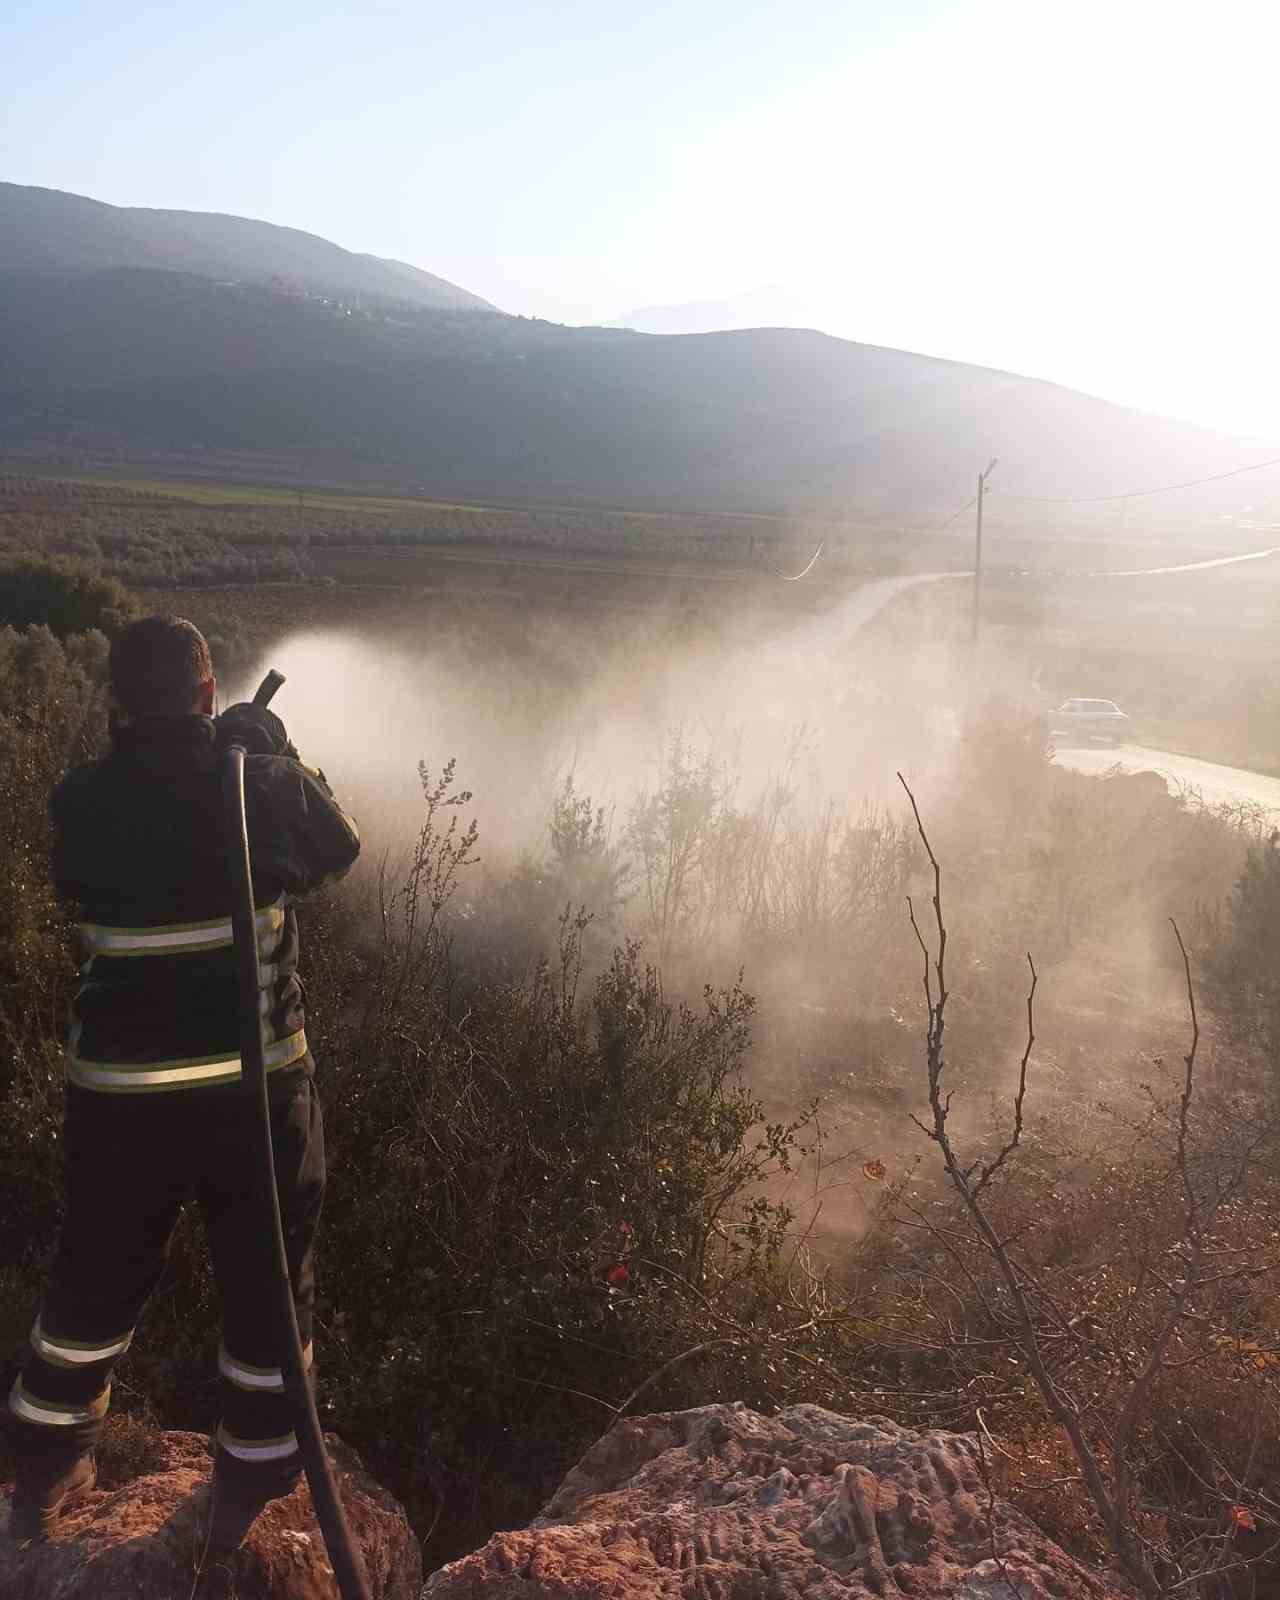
(806, 718)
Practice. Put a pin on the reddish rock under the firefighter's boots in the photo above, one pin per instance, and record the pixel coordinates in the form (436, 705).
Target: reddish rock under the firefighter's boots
(142, 1542)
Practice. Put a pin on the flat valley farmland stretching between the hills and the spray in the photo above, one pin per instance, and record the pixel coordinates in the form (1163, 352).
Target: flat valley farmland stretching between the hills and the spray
(1190, 655)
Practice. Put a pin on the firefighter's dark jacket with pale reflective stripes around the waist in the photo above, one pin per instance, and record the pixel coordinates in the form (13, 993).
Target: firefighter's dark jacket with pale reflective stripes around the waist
(140, 846)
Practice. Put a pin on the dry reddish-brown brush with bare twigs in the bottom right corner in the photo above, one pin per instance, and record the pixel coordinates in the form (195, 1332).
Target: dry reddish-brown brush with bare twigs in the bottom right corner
(1124, 1302)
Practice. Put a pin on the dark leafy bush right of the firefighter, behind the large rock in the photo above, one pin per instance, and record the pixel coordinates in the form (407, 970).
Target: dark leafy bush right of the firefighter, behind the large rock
(522, 1172)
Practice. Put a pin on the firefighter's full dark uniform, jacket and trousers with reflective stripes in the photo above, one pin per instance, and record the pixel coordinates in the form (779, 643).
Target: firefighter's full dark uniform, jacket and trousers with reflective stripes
(153, 1070)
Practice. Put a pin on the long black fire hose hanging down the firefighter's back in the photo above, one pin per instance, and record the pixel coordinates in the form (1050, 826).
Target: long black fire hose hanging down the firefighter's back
(348, 1567)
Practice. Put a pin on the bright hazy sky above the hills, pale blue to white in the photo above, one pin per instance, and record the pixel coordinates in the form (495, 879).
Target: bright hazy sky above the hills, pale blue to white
(1086, 191)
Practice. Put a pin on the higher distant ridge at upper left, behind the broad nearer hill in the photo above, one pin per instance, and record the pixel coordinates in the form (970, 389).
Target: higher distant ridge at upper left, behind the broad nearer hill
(46, 231)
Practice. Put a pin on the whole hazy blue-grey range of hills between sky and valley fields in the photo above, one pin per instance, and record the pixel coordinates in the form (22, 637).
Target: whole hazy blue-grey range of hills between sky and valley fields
(143, 364)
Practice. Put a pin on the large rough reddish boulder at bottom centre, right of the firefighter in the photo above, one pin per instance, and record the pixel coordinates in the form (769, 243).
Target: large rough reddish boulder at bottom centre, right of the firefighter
(724, 1505)
